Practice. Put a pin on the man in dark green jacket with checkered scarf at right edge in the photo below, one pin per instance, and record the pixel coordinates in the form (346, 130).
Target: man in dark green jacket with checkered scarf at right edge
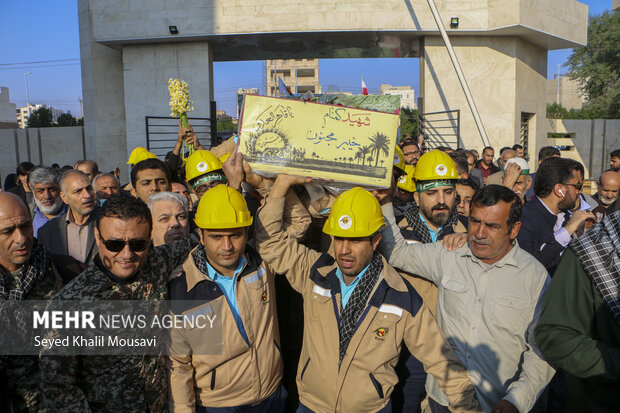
(579, 329)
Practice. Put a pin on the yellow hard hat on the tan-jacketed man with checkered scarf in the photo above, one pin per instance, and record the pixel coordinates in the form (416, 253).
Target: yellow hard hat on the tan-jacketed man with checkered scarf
(355, 213)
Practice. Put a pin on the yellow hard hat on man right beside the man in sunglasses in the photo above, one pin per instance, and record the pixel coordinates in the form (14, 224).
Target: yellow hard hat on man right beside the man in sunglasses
(222, 207)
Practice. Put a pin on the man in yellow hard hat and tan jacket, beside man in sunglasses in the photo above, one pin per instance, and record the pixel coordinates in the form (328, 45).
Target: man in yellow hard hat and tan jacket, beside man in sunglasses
(227, 274)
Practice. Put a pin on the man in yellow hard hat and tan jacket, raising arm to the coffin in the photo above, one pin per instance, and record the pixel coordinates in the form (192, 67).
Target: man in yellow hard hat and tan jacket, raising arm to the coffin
(358, 311)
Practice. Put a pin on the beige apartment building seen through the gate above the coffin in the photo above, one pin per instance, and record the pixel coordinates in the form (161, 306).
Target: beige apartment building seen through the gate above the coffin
(299, 75)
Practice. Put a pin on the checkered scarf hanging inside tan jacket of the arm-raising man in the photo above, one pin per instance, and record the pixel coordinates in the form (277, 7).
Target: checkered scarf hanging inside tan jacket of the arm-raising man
(357, 303)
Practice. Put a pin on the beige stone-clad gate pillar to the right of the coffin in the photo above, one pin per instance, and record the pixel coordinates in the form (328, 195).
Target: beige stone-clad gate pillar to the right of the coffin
(506, 76)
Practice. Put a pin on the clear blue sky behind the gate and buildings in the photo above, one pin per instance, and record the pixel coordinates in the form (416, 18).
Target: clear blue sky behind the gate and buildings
(43, 30)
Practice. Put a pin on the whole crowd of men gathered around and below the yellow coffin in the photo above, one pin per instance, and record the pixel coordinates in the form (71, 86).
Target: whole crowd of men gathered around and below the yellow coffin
(468, 285)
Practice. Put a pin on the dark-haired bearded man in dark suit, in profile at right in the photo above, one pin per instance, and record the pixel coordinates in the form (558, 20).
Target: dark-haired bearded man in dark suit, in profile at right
(546, 224)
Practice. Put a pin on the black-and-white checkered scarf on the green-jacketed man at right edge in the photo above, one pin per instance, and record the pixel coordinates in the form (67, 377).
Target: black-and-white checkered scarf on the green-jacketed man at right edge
(598, 251)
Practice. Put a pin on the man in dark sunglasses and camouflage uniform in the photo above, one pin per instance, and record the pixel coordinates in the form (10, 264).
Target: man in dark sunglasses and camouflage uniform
(126, 268)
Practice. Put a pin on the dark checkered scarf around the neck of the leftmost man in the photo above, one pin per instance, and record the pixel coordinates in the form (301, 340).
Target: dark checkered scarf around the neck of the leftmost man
(31, 272)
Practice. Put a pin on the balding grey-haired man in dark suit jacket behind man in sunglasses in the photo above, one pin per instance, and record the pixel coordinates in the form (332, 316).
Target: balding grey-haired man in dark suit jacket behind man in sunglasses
(73, 233)
